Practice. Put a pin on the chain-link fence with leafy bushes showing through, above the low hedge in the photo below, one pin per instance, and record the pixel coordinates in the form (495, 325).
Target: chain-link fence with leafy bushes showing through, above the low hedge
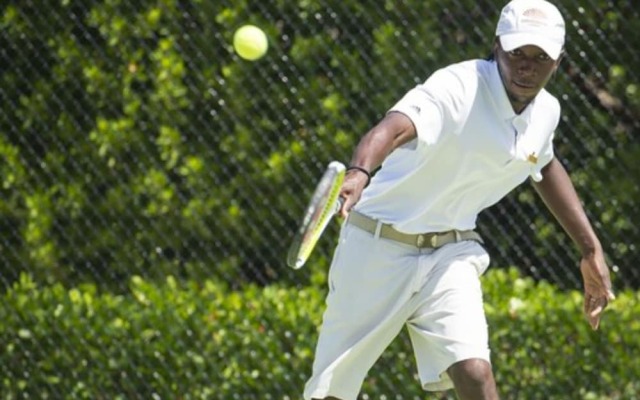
(135, 143)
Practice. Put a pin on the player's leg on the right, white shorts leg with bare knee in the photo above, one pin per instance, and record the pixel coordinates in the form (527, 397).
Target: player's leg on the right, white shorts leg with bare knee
(449, 329)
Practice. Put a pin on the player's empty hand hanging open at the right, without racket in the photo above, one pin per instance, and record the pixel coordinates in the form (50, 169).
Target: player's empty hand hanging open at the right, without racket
(597, 287)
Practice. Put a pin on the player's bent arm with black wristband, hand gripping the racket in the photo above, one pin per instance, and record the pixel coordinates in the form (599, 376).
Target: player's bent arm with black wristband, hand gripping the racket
(394, 130)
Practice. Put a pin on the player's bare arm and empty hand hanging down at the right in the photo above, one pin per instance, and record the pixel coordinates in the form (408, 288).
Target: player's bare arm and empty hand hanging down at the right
(560, 197)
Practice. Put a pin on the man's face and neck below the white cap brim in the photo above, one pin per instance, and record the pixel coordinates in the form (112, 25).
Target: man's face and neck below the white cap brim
(524, 72)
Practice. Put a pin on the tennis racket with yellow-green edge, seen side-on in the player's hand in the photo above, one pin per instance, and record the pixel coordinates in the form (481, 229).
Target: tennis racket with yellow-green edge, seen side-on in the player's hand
(324, 204)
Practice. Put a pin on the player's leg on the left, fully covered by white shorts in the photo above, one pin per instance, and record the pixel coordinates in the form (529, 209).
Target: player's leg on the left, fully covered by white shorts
(370, 283)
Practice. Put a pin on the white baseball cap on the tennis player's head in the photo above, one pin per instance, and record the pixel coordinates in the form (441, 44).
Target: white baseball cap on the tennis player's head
(531, 22)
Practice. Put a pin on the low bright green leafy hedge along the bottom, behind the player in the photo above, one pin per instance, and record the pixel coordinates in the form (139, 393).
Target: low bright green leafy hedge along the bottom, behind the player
(202, 340)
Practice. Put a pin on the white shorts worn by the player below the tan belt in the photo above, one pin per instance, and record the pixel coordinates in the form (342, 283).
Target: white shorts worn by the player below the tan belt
(376, 287)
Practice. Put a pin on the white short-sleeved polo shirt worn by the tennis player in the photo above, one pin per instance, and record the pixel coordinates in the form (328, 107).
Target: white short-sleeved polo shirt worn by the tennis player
(472, 149)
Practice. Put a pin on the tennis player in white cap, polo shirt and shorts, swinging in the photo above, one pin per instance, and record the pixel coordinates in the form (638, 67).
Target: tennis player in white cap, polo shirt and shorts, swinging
(408, 254)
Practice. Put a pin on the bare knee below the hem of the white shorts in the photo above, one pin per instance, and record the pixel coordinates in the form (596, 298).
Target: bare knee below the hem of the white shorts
(473, 380)
